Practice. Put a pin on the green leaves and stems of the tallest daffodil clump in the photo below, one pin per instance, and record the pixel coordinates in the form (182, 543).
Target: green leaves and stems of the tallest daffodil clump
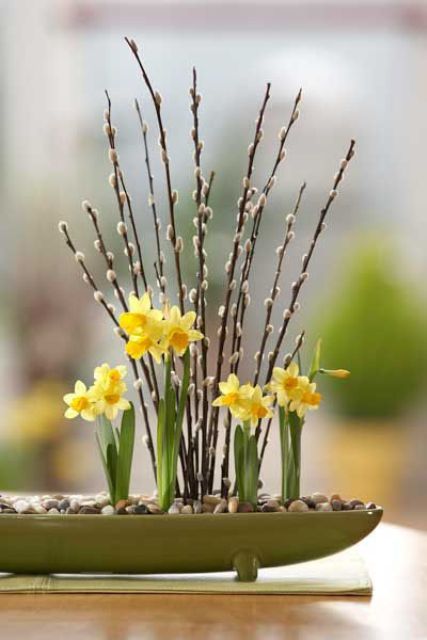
(169, 430)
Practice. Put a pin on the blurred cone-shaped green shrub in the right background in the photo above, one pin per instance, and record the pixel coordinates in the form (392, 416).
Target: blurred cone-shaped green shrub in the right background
(376, 324)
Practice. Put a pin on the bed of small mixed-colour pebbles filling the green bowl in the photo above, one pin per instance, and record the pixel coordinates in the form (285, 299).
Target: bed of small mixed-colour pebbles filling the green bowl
(147, 505)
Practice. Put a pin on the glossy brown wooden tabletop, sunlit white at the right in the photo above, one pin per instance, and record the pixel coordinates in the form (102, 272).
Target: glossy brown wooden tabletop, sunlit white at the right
(396, 558)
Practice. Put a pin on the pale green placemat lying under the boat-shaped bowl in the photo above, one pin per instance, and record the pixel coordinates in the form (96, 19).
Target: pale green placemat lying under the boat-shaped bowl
(342, 574)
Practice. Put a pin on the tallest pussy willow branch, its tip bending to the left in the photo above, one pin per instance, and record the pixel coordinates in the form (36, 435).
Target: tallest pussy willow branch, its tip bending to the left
(177, 243)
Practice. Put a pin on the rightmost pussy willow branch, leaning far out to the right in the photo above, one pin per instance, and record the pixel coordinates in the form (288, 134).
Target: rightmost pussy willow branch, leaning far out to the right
(296, 286)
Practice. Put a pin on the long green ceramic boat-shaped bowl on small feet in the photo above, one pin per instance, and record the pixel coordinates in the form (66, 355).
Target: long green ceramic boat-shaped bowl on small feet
(43, 544)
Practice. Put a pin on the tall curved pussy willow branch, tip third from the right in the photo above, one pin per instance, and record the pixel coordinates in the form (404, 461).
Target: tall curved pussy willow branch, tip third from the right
(243, 299)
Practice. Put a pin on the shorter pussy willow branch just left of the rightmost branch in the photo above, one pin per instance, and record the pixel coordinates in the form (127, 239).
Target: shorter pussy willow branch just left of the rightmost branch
(274, 292)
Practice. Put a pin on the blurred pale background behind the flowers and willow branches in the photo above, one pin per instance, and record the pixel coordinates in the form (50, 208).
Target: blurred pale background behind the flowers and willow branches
(362, 68)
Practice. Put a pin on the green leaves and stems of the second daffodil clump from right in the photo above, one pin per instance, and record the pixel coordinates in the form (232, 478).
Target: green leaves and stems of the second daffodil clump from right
(246, 463)
